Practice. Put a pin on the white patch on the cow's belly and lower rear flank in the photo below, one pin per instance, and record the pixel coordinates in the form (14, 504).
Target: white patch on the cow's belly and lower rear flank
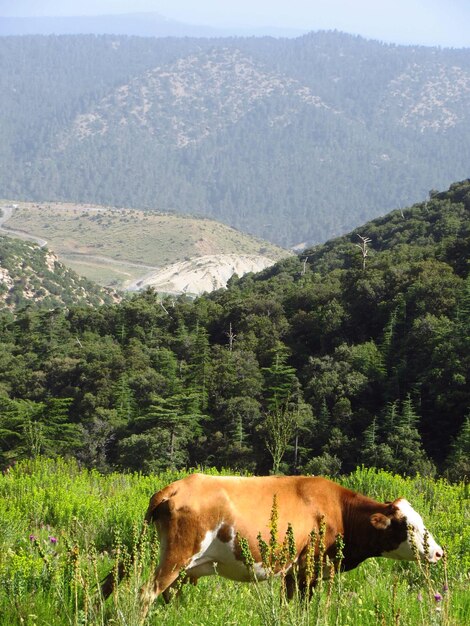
(218, 557)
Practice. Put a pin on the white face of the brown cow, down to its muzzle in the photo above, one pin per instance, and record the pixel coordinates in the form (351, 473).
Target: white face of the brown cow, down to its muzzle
(417, 533)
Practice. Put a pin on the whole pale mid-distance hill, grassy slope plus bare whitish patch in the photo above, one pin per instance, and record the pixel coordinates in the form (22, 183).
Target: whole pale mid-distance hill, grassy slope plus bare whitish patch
(130, 249)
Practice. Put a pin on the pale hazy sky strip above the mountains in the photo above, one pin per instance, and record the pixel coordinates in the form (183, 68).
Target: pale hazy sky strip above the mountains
(427, 22)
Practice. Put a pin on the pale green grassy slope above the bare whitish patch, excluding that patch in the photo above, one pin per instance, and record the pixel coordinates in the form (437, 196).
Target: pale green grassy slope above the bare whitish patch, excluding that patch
(88, 238)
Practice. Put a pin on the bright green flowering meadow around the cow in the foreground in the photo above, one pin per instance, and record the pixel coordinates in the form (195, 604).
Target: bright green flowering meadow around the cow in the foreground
(61, 528)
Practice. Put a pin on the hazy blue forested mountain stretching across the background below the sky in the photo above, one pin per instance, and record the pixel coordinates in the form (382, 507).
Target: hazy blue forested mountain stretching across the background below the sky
(291, 140)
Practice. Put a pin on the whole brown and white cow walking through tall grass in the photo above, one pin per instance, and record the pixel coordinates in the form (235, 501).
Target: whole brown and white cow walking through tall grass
(200, 519)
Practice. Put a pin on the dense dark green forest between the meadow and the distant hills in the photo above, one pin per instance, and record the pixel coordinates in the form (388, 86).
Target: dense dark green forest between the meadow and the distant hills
(357, 352)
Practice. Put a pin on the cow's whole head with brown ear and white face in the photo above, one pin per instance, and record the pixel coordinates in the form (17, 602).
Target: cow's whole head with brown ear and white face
(405, 533)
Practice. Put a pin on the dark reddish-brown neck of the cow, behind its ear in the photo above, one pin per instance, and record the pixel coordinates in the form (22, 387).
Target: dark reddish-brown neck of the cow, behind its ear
(361, 539)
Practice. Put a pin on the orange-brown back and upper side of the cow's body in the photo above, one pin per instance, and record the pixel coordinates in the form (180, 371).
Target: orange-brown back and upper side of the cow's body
(243, 505)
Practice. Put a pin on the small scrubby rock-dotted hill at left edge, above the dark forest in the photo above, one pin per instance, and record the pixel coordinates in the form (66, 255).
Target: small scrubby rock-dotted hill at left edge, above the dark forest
(33, 275)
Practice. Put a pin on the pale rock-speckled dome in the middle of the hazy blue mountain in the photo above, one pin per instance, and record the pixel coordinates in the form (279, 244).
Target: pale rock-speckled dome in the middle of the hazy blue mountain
(188, 101)
